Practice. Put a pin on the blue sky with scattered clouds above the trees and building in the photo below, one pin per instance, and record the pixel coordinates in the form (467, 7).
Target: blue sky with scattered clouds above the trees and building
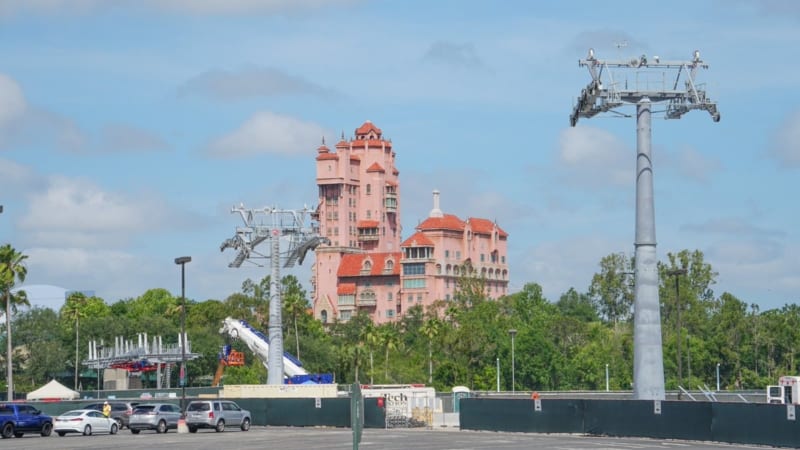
(128, 129)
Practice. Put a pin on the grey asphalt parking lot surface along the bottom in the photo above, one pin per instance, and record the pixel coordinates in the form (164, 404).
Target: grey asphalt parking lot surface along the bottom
(280, 438)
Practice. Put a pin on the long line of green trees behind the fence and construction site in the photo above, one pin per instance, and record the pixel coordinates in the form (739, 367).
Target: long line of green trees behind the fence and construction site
(569, 343)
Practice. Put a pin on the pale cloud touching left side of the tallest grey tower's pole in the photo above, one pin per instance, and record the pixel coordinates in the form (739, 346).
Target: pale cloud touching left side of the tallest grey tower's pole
(595, 157)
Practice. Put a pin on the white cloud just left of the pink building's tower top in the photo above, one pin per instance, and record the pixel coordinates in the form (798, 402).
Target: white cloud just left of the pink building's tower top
(267, 132)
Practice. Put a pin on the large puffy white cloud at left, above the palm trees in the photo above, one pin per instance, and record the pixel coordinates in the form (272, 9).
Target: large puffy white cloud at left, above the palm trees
(72, 212)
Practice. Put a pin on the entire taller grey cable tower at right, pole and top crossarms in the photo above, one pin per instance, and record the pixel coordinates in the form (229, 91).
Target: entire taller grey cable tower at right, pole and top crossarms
(601, 96)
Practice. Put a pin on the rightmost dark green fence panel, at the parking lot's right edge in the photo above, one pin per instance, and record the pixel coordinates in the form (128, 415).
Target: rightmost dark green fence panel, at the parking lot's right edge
(755, 423)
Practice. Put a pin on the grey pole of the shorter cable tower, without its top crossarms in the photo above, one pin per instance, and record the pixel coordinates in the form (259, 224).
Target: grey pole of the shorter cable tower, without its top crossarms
(275, 360)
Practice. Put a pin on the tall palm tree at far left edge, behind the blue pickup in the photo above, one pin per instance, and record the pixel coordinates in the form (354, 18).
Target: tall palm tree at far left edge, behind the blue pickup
(12, 269)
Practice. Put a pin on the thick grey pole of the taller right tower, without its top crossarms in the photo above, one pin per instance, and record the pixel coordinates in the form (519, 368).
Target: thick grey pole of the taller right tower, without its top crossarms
(648, 363)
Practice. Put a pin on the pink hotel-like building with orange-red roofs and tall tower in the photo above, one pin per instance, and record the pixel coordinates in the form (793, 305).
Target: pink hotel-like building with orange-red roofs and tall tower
(366, 267)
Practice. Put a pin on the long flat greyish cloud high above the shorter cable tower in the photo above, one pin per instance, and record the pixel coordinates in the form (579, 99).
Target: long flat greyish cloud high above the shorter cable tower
(251, 82)
